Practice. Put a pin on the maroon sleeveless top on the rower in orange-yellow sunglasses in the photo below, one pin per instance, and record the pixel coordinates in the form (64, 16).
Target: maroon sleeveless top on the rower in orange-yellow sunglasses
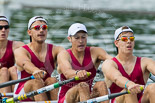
(136, 76)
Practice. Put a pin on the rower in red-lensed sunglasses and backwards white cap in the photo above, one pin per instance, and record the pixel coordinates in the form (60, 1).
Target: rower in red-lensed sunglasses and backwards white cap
(37, 58)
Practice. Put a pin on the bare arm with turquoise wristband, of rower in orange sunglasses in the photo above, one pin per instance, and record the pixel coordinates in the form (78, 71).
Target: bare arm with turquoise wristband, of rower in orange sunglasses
(111, 72)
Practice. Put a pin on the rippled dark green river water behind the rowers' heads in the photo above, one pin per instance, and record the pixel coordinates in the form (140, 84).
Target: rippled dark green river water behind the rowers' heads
(100, 24)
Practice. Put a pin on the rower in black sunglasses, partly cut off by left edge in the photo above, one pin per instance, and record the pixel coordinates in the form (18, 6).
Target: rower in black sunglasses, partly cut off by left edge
(7, 61)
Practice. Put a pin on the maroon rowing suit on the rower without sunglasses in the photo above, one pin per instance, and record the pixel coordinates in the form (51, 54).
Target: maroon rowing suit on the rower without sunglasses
(87, 65)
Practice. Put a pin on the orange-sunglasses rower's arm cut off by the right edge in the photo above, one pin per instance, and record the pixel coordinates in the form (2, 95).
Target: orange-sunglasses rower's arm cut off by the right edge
(150, 64)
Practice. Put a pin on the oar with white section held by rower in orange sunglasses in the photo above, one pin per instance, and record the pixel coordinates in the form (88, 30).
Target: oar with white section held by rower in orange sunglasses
(107, 97)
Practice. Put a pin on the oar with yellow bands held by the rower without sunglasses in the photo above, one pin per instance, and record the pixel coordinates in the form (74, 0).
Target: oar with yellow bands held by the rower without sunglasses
(42, 90)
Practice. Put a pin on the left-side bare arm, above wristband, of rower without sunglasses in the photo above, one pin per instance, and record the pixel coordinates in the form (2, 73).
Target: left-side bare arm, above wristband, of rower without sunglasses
(64, 65)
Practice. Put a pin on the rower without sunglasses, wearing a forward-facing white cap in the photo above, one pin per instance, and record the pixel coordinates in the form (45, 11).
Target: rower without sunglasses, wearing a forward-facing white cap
(77, 61)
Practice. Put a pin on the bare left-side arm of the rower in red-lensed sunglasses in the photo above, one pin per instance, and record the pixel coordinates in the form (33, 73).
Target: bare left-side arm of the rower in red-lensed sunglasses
(24, 62)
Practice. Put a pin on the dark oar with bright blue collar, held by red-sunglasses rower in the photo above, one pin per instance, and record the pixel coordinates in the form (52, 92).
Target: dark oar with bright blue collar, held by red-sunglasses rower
(12, 82)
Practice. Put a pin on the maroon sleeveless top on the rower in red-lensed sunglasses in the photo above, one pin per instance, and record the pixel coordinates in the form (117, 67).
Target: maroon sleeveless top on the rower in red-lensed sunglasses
(47, 66)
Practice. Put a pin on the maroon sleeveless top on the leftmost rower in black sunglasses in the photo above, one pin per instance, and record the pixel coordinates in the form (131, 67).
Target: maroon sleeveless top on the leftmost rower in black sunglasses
(8, 59)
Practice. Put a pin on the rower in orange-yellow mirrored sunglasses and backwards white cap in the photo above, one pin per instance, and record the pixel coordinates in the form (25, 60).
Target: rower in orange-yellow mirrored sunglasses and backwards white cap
(126, 71)
